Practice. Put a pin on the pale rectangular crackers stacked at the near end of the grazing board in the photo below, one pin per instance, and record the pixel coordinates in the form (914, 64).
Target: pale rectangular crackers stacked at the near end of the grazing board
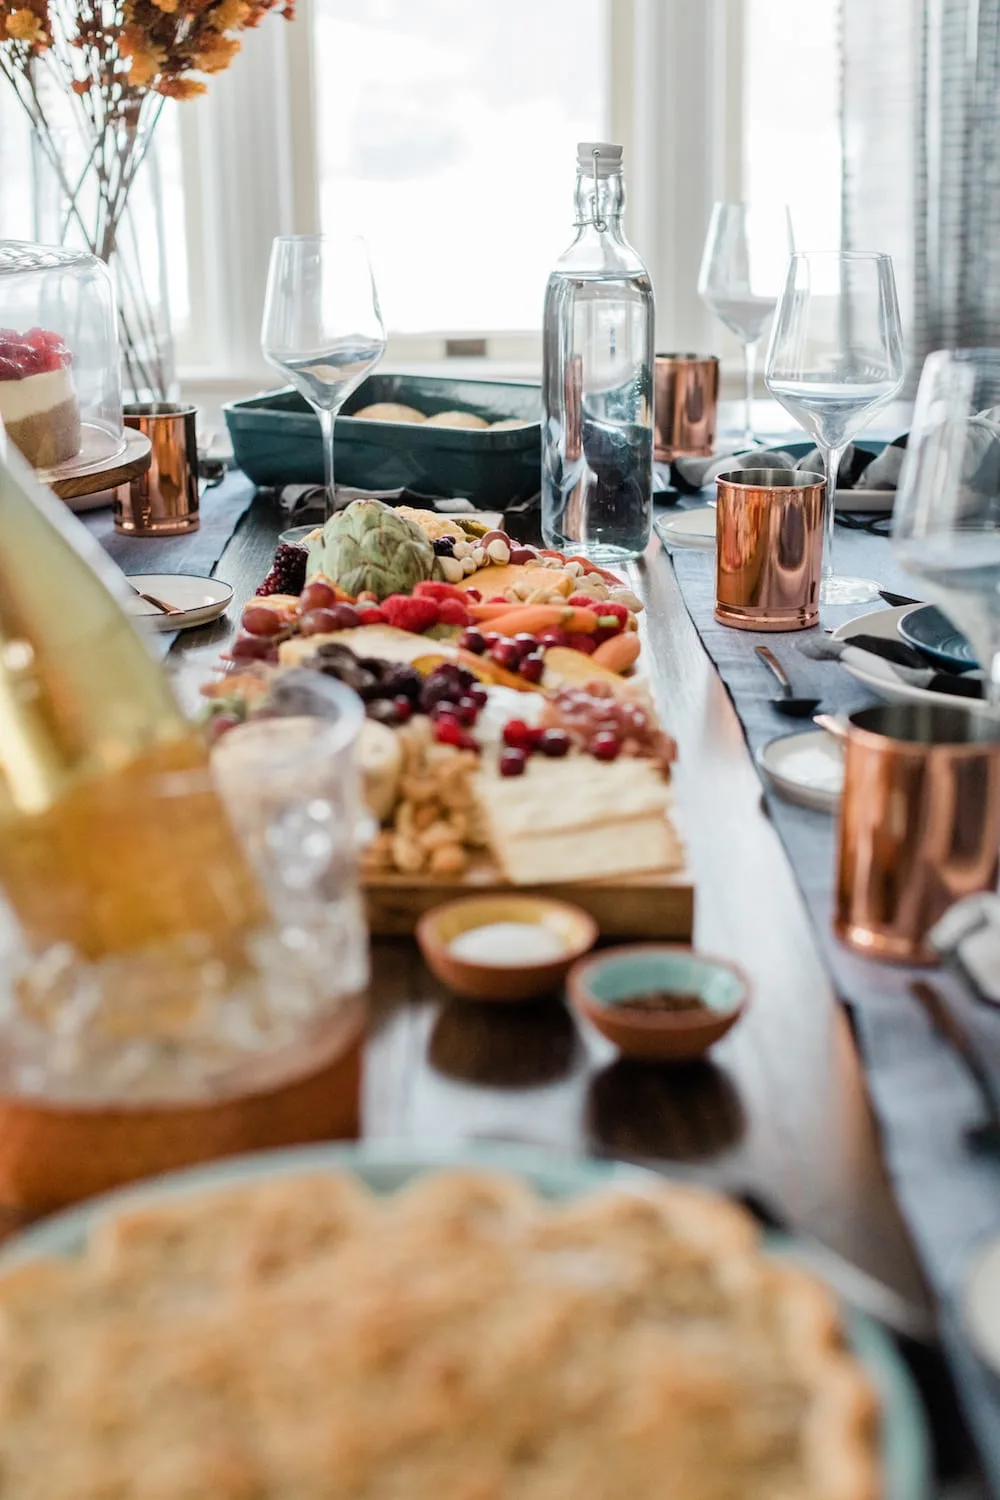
(579, 820)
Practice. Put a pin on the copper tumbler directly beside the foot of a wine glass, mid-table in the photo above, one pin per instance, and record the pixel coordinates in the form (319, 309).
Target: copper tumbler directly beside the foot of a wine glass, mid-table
(768, 550)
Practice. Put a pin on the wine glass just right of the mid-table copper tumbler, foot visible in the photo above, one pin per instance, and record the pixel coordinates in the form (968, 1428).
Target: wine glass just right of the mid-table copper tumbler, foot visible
(834, 361)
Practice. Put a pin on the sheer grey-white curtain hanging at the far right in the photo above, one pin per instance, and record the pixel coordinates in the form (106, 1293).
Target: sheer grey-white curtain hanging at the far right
(921, 119)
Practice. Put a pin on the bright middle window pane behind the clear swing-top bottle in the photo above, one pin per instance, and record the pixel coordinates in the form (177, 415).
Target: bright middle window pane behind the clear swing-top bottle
(448, 136)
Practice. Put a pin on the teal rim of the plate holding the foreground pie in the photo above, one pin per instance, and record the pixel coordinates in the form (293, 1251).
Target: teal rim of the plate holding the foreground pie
(385, 1168)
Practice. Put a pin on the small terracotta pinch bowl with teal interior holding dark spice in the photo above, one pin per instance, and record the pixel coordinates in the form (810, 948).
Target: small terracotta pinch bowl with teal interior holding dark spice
(600, 988)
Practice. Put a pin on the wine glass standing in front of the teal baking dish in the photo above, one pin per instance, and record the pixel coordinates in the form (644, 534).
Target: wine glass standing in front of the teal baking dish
(322, 325)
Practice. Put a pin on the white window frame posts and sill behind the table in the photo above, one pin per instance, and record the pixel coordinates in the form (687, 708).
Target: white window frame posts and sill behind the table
(250, 161)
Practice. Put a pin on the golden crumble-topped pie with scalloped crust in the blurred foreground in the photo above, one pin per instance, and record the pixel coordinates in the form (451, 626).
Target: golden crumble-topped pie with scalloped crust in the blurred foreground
(301, 1339)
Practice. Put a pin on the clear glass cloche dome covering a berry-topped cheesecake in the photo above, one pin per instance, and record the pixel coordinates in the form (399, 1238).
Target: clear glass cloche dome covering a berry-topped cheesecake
(61, 367)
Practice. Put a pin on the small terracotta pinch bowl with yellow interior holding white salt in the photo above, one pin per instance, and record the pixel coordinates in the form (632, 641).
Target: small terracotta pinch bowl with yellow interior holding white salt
(501, 982)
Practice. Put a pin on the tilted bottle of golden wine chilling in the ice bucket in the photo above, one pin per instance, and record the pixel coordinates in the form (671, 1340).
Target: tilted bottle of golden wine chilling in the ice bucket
(103, 844)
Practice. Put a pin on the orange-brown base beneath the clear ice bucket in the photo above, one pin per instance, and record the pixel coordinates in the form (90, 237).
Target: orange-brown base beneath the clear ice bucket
(53, 1153)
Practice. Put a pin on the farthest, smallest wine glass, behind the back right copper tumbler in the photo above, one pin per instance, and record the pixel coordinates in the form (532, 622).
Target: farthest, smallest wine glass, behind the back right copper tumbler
(746, 253)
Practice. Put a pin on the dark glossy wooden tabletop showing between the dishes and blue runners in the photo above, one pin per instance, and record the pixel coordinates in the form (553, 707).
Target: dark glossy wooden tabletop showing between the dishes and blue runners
(779, 1114)
